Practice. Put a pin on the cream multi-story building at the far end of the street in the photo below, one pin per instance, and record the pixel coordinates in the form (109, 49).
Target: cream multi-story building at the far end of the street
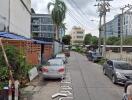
(77, 34)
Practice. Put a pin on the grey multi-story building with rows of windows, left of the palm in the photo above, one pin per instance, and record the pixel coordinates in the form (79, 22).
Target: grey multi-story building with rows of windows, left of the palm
(42, 26)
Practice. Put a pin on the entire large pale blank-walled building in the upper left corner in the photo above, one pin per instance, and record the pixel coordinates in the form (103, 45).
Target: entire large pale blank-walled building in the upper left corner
(15, 16)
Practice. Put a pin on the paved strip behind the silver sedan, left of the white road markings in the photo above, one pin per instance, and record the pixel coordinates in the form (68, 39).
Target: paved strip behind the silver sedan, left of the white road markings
(40, 89)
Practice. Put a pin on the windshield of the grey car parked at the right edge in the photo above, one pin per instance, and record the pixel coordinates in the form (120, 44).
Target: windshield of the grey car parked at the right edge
(123, 66)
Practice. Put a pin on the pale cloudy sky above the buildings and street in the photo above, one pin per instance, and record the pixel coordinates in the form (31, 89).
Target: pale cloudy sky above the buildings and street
(82, 13)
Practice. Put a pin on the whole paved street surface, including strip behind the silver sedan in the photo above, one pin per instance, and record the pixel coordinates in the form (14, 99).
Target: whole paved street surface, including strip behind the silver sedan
(87, 82)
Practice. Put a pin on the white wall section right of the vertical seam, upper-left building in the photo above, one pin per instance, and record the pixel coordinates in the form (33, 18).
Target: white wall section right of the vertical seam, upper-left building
(20, 18)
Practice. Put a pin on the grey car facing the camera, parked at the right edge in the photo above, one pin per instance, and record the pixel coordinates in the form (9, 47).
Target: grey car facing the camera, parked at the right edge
(118, 71)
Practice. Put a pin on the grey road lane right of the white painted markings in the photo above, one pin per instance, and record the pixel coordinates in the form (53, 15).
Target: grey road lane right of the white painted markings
(88, 80)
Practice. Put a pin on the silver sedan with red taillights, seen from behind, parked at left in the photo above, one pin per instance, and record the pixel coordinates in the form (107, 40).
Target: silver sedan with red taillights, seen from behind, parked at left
(54, 69)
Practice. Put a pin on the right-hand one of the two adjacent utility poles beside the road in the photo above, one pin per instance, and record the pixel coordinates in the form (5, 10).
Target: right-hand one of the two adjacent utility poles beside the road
(103, 9)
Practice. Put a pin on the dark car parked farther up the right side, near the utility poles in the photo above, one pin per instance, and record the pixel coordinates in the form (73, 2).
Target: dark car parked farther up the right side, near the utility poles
(93, 56)
